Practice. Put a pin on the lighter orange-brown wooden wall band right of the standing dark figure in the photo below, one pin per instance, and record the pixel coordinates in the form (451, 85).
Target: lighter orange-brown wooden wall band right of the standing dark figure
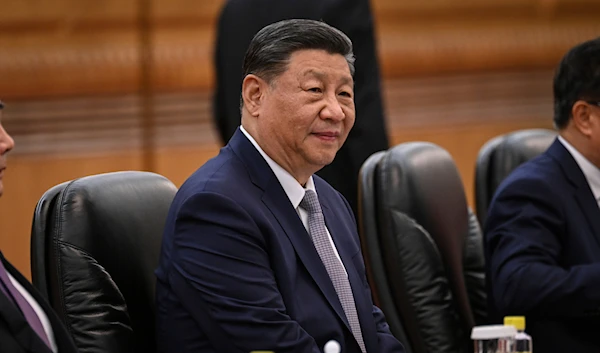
(409, 49)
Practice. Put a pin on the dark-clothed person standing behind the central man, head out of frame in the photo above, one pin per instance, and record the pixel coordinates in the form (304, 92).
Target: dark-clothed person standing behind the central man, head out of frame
(240, 20)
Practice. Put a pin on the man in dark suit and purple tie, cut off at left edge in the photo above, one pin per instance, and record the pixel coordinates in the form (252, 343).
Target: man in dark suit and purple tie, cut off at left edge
(27, 323)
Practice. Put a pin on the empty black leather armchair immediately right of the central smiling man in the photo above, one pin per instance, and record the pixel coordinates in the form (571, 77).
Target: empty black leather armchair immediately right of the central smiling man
(430, 245)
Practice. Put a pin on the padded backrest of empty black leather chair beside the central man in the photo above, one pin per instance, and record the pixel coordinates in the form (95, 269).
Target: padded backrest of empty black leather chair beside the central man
(420, 180)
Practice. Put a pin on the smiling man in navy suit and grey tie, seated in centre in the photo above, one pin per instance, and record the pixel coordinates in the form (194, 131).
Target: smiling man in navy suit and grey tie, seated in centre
(258, 253)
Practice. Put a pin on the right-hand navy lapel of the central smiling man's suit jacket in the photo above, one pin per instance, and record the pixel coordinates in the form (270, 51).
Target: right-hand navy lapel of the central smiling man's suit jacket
(341, 235)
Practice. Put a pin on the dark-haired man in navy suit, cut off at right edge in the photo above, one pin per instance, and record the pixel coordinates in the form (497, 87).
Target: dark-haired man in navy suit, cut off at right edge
(542, 235)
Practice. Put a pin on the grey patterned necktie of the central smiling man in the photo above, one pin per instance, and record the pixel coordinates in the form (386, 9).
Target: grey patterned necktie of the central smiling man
(335, 269)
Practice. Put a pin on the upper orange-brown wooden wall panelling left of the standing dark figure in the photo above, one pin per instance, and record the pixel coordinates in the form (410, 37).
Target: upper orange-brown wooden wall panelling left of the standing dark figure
(68, 47)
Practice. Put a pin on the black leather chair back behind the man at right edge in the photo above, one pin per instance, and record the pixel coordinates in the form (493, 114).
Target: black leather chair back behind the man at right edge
(500, 156)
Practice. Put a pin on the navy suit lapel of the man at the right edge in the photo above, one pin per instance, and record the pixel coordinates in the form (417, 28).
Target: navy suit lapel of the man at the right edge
(583, 194)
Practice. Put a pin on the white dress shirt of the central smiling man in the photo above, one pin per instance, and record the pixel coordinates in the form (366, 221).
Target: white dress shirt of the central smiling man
(292, 188)
